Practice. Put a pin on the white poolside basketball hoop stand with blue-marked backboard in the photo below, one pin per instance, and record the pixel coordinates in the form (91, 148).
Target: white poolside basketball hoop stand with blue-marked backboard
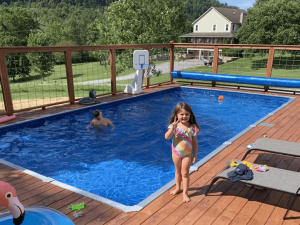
(140, 62)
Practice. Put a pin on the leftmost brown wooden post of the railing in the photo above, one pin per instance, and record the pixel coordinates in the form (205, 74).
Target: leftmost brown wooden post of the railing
(8, 104)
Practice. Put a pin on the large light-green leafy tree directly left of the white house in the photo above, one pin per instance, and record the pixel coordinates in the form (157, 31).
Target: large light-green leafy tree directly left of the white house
(147, 21)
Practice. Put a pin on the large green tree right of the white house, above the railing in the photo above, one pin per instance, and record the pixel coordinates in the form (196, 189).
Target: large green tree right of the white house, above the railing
(272, 22)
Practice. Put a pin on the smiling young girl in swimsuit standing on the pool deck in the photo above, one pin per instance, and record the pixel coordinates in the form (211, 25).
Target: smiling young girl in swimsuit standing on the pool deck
(184, 128)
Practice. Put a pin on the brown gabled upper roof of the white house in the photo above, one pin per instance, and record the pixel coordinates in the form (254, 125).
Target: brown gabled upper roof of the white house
(232, 15)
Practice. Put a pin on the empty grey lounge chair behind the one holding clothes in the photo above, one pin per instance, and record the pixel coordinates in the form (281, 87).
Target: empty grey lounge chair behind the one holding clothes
(275, 146)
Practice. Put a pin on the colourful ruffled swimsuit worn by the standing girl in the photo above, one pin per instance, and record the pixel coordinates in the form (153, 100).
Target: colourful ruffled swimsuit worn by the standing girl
(182, 144)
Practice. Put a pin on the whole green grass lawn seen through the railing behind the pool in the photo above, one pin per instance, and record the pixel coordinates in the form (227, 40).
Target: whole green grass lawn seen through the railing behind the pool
(55, 84)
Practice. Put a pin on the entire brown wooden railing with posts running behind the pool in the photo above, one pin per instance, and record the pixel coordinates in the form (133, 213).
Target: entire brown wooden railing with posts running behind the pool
(67, 50)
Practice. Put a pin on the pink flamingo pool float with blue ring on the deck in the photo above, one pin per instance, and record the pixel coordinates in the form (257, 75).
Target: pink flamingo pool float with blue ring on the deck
(18, 215)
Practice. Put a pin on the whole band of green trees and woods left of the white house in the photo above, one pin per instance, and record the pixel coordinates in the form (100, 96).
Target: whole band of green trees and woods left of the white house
(90, 22)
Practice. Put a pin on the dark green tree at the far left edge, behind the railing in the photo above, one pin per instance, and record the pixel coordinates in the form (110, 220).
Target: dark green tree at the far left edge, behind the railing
(15, 26)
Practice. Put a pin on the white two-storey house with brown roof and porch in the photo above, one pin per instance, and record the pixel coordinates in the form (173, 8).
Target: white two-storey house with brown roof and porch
(216, 25)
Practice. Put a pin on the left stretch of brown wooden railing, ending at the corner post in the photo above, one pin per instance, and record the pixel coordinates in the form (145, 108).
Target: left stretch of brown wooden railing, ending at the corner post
(67, 50)
